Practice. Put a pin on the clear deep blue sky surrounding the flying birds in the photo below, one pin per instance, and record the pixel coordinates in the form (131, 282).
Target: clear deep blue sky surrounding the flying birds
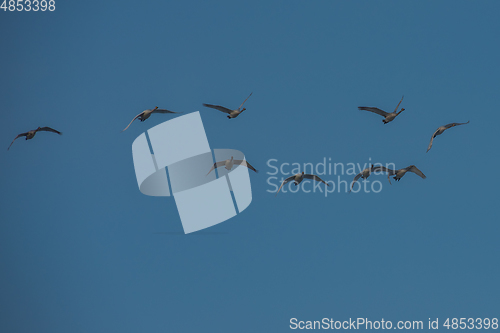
(82, 250)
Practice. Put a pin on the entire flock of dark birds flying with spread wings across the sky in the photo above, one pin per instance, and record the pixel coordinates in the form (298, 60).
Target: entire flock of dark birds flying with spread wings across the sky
(299, 177)
